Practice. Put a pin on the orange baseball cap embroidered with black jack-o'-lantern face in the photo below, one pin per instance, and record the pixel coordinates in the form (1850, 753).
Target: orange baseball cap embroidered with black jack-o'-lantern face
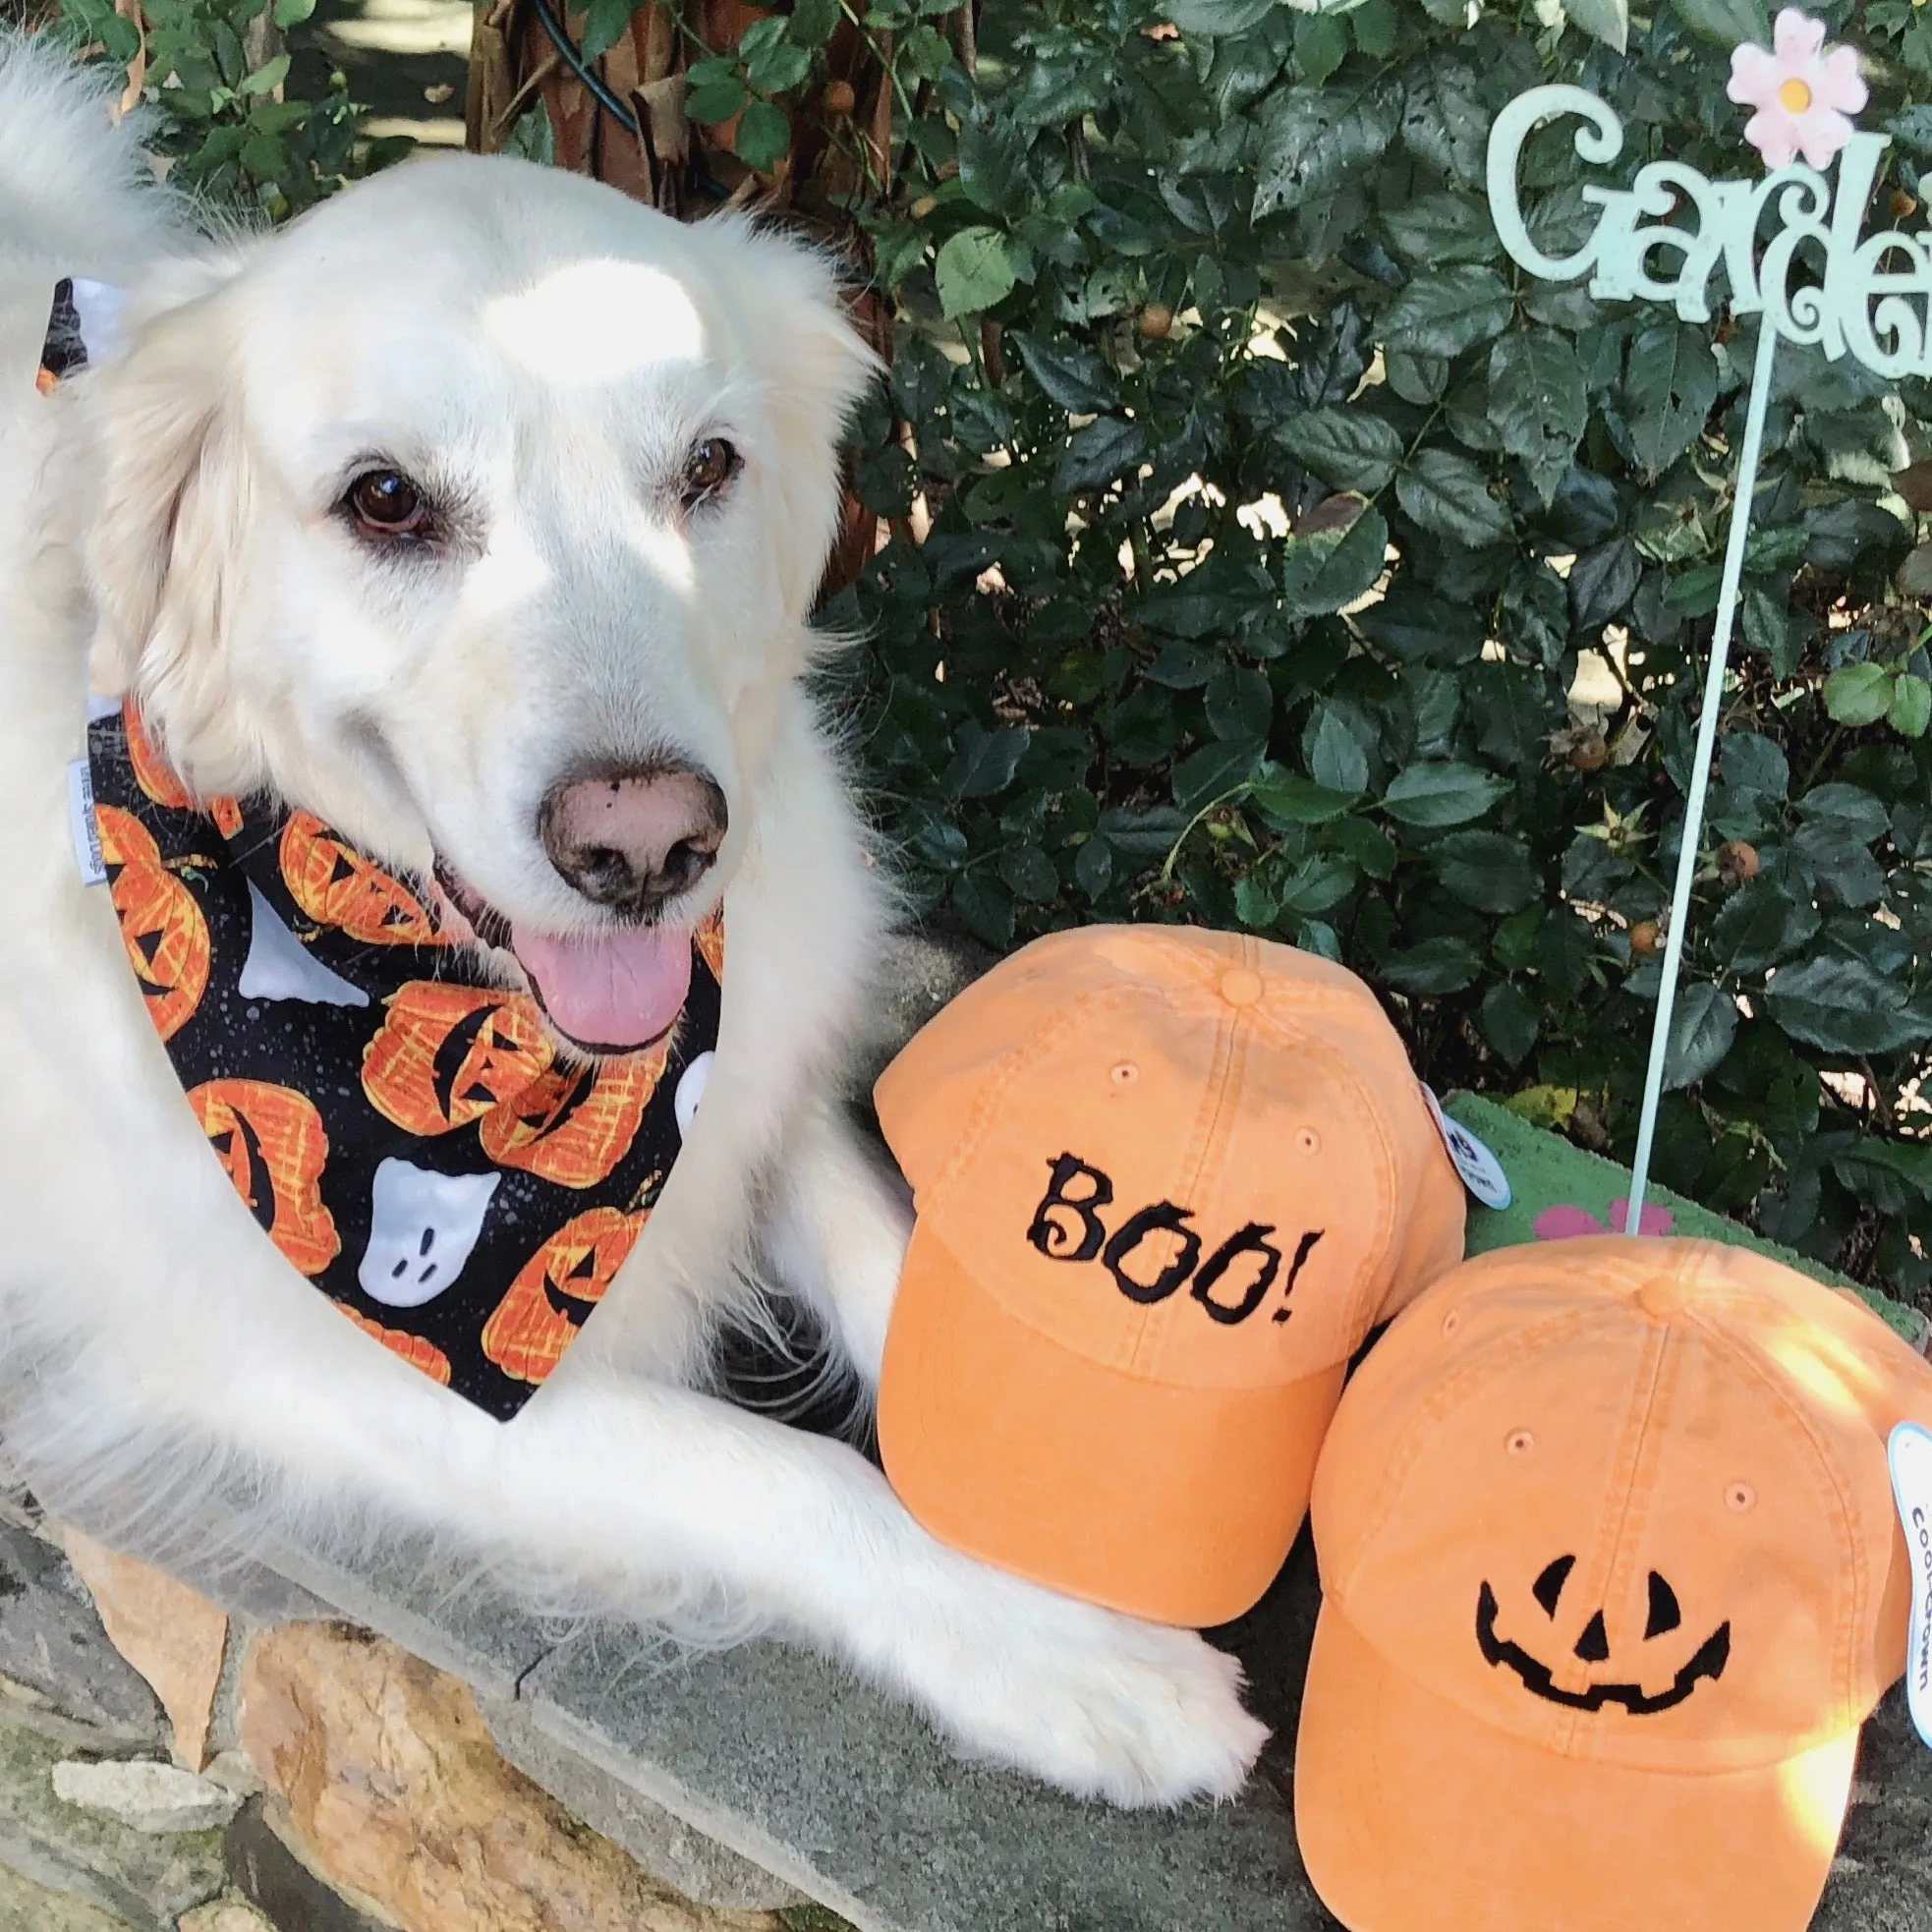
(1612, 1577)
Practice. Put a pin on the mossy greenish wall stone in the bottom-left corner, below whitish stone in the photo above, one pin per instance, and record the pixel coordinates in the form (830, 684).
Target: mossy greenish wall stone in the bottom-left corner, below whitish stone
(128, 1875)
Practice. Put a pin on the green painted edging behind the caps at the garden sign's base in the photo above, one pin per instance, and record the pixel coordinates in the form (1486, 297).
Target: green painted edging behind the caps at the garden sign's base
(1547, 1172)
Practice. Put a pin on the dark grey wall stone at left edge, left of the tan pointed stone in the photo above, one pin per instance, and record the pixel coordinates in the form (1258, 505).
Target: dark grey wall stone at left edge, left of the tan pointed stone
(53, 1645)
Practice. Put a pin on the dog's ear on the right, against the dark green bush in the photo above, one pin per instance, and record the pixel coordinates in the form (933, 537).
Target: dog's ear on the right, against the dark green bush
(816, 368)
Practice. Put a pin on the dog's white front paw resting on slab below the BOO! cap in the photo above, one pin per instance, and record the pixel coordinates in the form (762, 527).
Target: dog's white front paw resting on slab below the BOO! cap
(1094, 1703)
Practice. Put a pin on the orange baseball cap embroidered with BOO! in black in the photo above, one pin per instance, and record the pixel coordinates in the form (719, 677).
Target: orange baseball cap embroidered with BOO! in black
(1166, 1185)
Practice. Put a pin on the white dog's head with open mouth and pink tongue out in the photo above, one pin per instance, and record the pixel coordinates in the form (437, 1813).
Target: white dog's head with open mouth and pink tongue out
(480, 513)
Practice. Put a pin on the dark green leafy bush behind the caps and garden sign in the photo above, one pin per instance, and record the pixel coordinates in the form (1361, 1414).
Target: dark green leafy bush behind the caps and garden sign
(1253, 519)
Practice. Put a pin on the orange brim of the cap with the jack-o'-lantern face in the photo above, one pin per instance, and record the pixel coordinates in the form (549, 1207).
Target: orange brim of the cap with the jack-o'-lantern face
(1413, 1813)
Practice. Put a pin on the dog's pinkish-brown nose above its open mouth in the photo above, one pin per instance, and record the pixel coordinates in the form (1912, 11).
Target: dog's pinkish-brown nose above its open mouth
(633, 839)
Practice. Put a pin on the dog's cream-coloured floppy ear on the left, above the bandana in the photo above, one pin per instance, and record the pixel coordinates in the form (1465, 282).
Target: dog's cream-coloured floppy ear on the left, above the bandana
(169, 494)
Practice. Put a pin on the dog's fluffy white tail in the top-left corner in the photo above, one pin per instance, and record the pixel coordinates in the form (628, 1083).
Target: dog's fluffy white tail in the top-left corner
(74, 188)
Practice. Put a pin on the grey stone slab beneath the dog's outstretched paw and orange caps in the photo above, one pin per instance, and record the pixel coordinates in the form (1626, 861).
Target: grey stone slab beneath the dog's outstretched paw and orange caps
(855, 1802)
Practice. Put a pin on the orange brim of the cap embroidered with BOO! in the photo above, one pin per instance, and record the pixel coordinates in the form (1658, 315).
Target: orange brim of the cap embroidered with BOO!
(1172, 1504)
